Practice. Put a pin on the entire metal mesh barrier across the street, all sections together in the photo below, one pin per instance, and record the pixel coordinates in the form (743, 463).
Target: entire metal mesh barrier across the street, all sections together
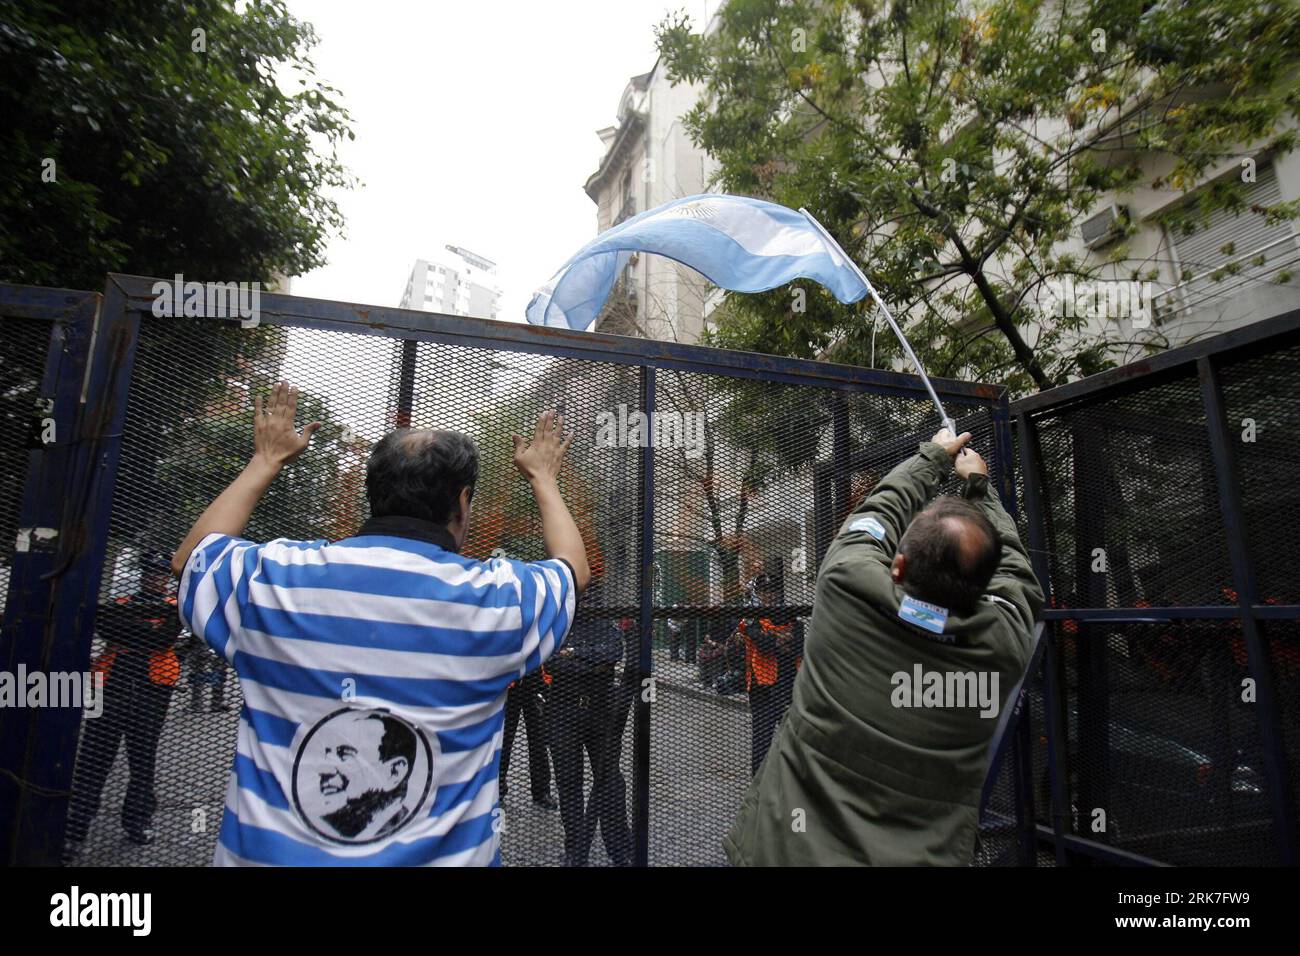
(708, 486)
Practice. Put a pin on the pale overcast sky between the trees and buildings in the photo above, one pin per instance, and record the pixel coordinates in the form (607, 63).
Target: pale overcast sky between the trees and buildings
(475, 127)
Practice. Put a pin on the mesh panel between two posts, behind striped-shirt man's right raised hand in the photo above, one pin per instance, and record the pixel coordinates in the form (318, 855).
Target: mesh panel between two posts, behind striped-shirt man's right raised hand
(566, 768)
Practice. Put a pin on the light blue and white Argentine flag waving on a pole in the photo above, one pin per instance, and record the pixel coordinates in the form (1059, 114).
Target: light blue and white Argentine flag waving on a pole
(736, 243)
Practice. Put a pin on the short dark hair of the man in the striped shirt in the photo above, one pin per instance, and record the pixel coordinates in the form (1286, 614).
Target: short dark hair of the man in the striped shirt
(419, 473)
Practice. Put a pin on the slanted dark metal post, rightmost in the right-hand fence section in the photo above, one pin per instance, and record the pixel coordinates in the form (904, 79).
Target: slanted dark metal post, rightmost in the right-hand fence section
(1247, 594)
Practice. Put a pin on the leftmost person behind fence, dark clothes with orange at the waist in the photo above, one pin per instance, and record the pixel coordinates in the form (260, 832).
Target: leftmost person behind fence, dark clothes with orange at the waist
(141, 669)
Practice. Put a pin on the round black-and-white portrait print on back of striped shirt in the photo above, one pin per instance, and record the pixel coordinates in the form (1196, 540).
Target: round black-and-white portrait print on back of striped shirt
(362, 776)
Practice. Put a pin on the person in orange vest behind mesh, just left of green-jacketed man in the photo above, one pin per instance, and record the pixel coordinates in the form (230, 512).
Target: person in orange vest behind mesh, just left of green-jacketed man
(773, 656)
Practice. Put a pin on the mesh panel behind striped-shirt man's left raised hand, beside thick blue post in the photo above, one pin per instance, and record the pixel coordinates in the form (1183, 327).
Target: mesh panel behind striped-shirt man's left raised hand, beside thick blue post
(151, 768)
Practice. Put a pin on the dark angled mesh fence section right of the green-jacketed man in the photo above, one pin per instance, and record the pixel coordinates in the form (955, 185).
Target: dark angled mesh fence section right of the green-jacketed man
(1160, 499)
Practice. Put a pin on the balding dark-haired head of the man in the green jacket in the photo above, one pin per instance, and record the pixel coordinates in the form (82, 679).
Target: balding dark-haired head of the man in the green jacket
(952, 553)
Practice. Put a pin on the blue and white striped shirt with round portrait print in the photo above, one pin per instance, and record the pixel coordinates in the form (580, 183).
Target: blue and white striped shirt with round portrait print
(375, 673)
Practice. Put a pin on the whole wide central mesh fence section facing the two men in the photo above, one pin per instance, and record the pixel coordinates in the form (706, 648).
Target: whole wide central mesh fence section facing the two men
(746, 479)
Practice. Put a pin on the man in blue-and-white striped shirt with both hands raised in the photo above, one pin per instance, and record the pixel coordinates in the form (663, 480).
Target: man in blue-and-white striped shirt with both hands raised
(375, 669)
